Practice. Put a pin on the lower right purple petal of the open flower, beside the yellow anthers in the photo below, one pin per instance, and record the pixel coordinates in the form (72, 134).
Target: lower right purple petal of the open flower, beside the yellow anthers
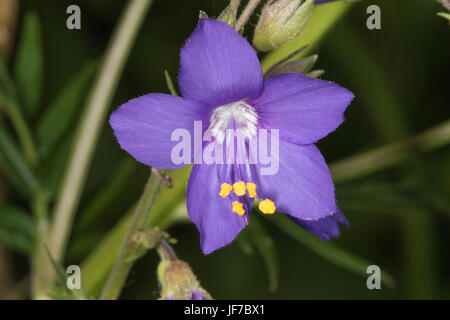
(302, 187)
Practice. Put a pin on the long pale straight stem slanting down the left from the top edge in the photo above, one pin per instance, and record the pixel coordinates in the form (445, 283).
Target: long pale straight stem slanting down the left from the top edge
(87, 136)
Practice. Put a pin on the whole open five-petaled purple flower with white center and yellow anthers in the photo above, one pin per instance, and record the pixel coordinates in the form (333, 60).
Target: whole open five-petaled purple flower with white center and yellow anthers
(222, 86)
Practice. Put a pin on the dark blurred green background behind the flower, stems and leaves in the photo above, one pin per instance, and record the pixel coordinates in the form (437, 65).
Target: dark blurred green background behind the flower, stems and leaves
(399, 218)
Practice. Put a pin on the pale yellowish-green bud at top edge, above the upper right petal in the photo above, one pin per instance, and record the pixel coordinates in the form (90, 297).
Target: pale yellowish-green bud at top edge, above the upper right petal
(281, 21)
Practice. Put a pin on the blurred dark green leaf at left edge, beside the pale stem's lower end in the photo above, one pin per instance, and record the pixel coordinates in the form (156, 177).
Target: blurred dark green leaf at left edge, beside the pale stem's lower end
(16, 229)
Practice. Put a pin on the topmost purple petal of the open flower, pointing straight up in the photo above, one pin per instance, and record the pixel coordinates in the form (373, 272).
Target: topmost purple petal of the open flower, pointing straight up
(218, 66)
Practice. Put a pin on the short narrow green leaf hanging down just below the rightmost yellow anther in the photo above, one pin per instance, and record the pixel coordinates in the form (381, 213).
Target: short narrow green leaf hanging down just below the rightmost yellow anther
(265, 246)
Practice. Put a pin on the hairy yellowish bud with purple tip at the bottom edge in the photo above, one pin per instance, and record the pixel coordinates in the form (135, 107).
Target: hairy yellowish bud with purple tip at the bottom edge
(178, 282)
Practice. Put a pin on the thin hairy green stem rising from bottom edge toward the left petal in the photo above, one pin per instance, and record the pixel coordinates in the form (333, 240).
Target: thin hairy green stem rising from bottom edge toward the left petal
(122, 266)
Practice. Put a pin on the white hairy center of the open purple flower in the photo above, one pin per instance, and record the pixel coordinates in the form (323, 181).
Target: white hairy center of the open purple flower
(238, 116)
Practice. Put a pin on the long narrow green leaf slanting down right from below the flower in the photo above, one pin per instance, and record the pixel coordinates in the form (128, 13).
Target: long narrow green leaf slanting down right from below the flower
(328, 250)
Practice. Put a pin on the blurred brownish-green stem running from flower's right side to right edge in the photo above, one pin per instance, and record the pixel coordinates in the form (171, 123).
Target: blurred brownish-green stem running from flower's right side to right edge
(390, 155)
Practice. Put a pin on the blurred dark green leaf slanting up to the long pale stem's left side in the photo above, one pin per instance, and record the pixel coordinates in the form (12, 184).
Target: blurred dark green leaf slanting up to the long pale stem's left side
(60, 114)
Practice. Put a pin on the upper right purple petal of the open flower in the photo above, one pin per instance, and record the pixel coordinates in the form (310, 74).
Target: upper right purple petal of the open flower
(303, 109)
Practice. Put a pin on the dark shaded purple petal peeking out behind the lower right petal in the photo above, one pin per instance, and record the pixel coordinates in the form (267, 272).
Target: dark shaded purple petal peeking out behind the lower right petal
(325, 228)
